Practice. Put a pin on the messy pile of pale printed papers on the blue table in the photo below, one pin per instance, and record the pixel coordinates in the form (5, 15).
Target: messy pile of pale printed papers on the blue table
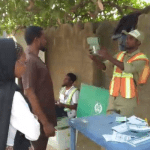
(135, 131)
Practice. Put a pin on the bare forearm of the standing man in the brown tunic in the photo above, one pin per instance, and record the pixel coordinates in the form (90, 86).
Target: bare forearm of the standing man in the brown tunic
(36, 108)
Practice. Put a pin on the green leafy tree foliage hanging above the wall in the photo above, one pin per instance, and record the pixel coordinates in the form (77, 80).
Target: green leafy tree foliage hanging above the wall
(45, 13)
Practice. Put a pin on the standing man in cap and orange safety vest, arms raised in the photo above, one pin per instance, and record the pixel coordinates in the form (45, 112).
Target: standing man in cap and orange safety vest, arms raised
(131, 68)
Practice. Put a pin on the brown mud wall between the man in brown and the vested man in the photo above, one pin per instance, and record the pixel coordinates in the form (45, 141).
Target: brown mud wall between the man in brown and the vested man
(68, 52)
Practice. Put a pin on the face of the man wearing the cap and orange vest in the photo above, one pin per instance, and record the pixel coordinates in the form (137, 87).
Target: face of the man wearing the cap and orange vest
(131, 42)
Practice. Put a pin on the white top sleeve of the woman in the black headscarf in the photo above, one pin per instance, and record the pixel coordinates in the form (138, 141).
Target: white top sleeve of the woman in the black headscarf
(23, 120)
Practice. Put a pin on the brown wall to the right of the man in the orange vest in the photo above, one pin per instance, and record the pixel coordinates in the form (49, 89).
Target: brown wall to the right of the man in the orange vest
(143, 109)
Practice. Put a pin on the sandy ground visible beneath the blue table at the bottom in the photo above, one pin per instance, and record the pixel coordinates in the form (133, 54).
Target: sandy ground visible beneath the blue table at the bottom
(83, 143)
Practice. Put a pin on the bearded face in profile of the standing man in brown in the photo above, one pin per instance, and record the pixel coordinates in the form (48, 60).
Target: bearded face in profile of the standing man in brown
(42, 42)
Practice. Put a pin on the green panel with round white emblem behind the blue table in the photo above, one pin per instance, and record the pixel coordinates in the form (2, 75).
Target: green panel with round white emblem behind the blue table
(92, 101)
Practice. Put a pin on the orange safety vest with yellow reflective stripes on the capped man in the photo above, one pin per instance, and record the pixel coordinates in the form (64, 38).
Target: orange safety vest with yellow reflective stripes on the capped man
(123, 82)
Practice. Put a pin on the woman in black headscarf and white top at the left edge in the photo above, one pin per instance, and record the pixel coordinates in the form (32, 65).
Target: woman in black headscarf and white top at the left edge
(18, 126)
